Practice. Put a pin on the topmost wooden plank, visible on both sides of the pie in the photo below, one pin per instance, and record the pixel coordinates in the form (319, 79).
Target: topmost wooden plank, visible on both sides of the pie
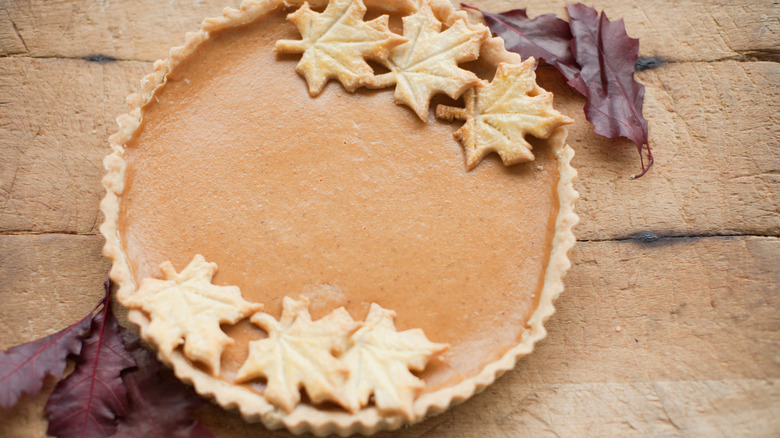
(691, 30)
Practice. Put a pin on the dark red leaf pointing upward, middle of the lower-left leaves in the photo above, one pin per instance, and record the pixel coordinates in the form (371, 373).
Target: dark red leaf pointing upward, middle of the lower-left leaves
(88, 402)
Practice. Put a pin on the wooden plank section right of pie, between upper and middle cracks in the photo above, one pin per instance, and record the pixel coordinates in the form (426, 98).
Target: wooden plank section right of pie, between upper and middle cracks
(714, 130)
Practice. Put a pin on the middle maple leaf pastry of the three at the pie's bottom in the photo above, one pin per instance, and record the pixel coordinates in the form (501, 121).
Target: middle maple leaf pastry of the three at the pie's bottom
(299, 352)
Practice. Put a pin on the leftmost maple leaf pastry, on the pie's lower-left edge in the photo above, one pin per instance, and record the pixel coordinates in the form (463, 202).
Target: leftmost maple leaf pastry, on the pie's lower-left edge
(187, 309)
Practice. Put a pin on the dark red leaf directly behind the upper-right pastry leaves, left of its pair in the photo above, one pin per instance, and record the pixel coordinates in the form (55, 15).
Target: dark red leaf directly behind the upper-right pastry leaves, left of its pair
(545, 37)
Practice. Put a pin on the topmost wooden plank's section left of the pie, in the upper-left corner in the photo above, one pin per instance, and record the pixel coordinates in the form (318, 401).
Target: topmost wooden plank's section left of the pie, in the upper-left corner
(135, 30)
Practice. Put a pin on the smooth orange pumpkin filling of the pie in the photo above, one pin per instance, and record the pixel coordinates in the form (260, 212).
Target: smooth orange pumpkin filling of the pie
(345, 198)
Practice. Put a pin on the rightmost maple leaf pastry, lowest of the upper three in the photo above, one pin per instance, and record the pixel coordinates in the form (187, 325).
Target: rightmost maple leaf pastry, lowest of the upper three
(499, 115)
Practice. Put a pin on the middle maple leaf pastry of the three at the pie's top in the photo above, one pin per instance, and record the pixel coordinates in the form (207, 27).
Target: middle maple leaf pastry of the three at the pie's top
(428, 63)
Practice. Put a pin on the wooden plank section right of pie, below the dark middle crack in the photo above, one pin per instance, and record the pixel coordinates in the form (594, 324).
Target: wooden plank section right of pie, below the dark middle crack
(679, 309)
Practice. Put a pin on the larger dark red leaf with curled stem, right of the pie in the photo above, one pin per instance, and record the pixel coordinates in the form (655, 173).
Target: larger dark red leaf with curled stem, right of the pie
(608, 57)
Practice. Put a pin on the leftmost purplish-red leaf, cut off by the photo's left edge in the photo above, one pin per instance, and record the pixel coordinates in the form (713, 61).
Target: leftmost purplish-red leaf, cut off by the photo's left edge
(23, 368)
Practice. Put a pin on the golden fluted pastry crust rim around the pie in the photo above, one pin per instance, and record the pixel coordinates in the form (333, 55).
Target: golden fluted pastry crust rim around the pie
(305, 417)
